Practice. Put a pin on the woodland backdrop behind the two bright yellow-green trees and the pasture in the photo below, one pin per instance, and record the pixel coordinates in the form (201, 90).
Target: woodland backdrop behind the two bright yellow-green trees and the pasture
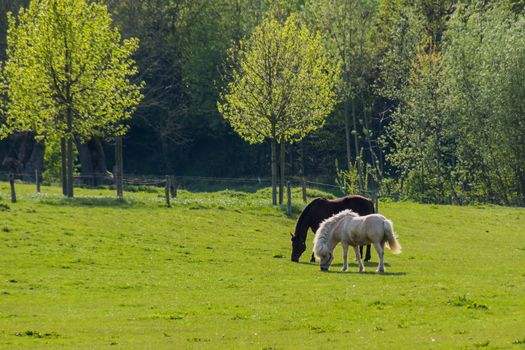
(428, 88)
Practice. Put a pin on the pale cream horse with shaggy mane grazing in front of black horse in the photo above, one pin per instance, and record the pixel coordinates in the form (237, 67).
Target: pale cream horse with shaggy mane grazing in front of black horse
(349, 228)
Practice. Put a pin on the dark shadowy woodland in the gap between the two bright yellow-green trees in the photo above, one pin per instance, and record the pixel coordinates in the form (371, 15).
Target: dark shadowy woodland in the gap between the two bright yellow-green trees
(183, 45)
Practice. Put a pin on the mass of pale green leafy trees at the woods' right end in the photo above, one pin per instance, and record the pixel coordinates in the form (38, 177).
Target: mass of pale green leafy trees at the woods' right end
(457, 133)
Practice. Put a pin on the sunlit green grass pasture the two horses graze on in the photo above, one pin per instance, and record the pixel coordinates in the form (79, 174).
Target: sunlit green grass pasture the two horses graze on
(214, 272)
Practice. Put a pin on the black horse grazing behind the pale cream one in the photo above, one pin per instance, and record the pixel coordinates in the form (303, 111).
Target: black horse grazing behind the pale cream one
(319, 210)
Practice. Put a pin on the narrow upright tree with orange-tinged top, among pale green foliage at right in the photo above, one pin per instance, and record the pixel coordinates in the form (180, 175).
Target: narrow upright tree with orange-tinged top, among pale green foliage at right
(422, 132)
